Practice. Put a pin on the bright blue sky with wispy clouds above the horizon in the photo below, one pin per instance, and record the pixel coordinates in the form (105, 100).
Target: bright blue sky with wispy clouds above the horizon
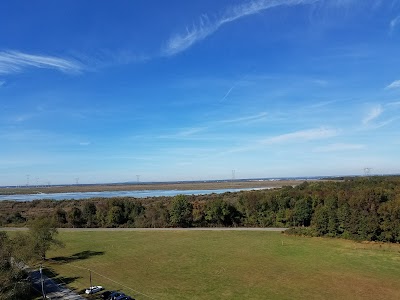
(154, 90)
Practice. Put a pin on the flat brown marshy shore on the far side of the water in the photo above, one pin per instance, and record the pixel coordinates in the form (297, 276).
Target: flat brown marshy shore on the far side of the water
(214, 185)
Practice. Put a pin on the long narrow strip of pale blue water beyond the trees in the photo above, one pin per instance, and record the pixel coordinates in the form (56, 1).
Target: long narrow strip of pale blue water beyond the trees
(136, 194)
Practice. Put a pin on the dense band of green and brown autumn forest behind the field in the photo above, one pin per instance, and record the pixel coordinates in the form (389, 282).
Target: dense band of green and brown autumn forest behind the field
(365, 208)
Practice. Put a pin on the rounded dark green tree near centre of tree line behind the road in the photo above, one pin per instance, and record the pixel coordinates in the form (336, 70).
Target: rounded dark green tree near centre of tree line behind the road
(181, 212)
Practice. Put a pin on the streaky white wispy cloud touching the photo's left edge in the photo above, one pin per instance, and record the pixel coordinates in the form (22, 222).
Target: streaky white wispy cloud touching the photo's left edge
(15, 62)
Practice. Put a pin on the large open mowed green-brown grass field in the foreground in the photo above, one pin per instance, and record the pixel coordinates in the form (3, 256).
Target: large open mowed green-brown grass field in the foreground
(230, 265)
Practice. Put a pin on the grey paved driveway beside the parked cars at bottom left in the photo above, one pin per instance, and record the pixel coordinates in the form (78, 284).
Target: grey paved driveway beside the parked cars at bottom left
(52, 289)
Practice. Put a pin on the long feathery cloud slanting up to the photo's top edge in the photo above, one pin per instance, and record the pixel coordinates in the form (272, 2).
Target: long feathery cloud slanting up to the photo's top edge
(207, 26)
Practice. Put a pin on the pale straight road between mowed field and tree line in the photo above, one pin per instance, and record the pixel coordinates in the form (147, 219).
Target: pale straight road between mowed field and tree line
(157, 229)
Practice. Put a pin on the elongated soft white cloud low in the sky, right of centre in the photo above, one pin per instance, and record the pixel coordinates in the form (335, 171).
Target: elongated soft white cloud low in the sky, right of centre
(303, 135)
